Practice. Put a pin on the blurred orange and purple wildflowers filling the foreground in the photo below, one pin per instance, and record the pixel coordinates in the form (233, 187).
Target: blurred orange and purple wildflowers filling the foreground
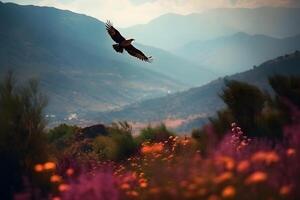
(171, 170)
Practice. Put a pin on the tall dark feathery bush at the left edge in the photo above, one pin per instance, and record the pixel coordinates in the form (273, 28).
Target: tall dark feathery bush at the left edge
(22, 131)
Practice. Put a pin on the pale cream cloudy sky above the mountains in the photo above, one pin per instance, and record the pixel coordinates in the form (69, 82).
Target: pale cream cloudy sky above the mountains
(126, 13)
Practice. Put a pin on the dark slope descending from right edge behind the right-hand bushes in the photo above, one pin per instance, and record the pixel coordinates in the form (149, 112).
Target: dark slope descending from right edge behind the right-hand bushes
(202, 102)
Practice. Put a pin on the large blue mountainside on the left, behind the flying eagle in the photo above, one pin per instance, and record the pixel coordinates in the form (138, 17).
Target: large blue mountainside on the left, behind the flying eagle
(71, 55)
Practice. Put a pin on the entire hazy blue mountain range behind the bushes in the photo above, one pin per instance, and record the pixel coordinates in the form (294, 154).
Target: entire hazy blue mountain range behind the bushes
(87, 81)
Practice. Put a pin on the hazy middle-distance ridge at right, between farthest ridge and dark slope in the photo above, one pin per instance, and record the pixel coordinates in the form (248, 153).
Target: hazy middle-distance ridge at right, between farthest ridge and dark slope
(238, 52)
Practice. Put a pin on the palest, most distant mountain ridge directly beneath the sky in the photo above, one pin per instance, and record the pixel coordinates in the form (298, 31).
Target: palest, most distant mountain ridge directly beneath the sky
(281, 22)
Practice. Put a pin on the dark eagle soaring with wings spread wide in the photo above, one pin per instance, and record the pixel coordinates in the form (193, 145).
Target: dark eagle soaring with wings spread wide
(122, 43)
